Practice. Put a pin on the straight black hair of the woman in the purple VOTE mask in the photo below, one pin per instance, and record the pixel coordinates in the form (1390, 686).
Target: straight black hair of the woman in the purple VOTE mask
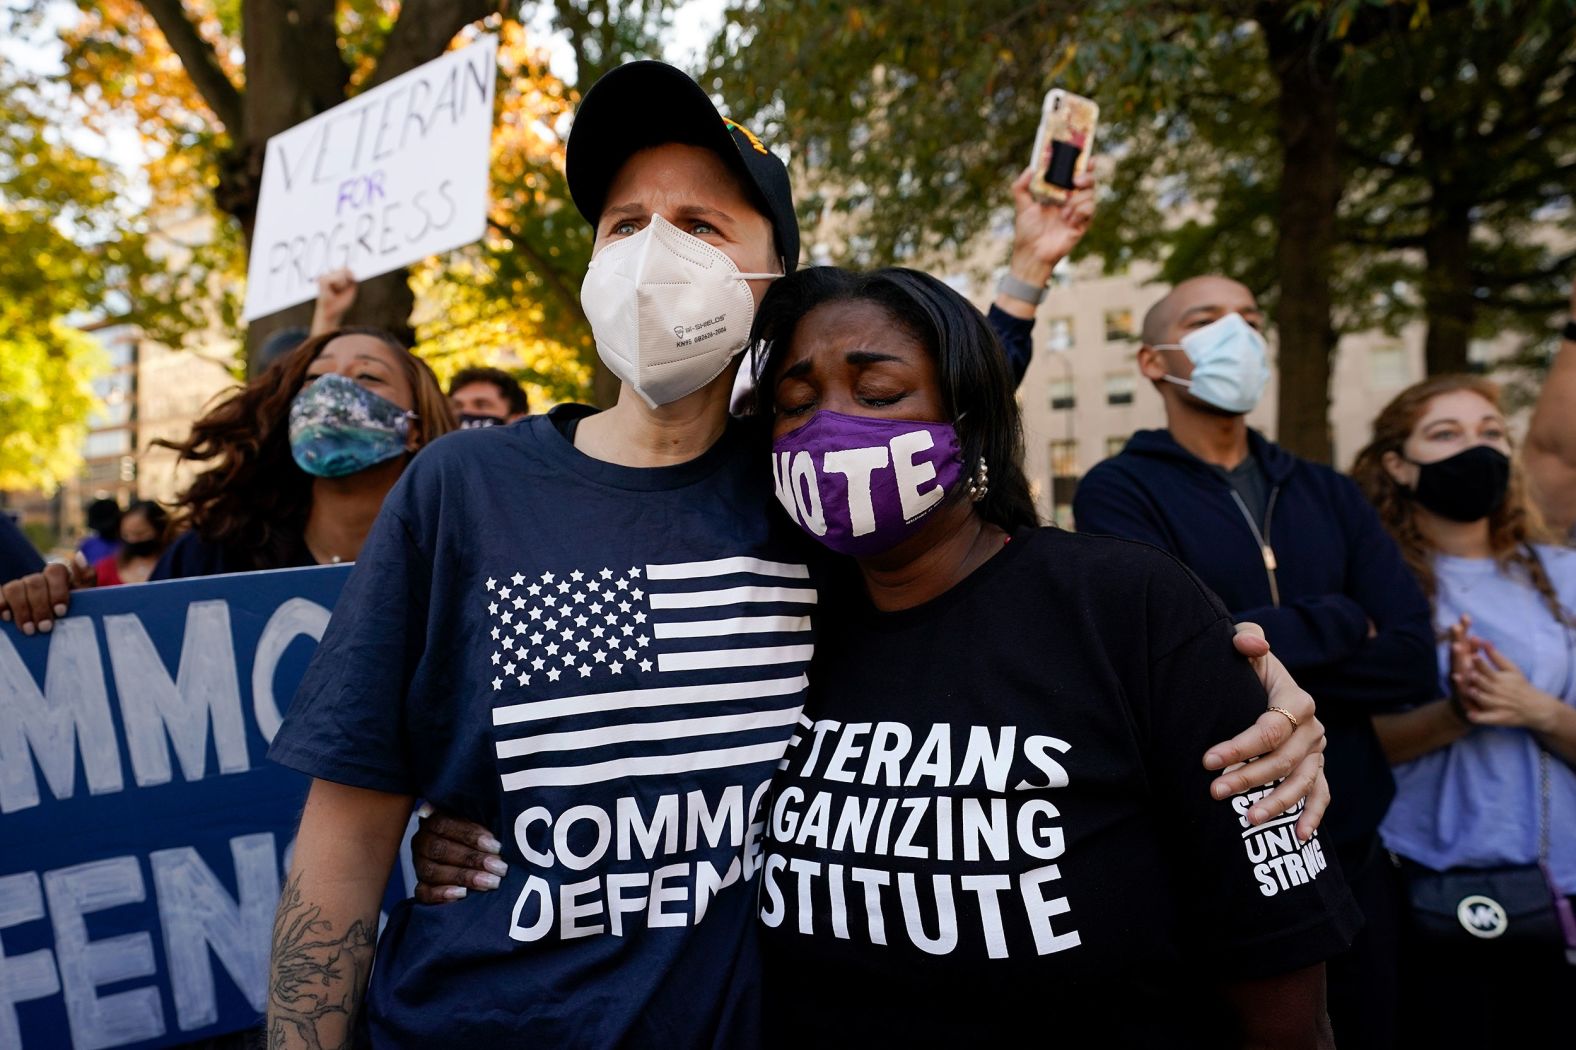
(976, 382)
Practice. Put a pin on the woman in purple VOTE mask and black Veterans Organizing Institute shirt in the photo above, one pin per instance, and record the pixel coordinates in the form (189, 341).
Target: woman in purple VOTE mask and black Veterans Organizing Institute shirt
(994, 813)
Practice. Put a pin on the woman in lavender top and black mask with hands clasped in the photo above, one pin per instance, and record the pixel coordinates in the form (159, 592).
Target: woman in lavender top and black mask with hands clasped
(1485, 775)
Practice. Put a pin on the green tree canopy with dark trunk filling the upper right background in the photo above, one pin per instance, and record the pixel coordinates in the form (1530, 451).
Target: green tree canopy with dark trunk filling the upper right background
(1255, 140)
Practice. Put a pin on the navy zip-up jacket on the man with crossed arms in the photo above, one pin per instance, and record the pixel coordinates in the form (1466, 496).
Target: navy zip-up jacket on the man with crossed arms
(1336, 573)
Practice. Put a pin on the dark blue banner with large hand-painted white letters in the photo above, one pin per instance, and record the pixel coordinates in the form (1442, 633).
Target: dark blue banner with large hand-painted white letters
(143, 832)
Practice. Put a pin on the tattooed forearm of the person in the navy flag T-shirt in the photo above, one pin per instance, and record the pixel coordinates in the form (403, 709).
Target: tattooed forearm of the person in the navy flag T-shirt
(316, 980)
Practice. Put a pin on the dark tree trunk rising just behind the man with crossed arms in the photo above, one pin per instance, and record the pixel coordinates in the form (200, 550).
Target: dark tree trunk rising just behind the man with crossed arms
(1310, 193)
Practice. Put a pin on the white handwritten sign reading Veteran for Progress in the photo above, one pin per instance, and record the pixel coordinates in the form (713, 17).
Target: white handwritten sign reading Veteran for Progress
(376, 184)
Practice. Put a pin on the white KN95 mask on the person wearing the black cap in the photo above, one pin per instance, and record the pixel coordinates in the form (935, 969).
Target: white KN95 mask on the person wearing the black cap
(669, 311)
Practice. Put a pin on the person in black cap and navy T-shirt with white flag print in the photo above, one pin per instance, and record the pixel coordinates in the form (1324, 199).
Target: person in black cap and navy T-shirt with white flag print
(409, 696)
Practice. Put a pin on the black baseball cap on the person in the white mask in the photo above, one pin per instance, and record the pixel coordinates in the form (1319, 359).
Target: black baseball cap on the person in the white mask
(644, 105)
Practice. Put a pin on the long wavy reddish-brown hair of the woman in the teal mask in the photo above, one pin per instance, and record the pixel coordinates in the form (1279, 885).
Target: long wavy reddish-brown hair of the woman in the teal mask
(255, 499)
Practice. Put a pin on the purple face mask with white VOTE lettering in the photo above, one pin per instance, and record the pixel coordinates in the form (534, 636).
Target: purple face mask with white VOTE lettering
(864, 485)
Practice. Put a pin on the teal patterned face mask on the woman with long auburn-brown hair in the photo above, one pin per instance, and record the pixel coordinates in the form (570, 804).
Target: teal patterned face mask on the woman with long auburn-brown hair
(340, 428)
